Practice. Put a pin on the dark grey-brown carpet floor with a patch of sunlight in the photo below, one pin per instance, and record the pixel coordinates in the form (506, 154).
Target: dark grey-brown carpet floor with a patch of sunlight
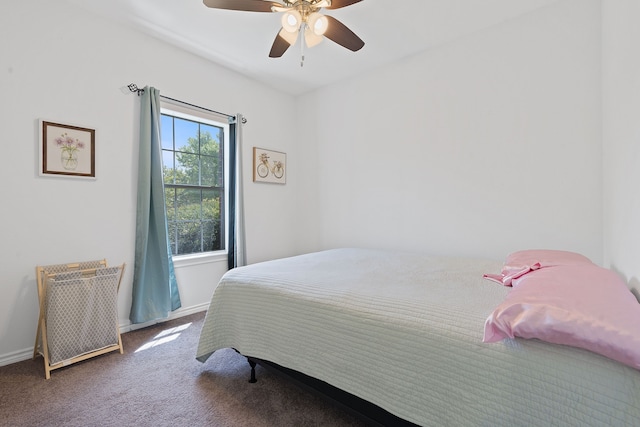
(158, 382)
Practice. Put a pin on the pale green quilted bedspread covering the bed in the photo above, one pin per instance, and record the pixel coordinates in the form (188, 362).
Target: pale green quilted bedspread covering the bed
(404, 333)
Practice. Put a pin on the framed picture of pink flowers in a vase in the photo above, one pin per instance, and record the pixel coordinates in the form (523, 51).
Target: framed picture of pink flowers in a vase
(67, 150)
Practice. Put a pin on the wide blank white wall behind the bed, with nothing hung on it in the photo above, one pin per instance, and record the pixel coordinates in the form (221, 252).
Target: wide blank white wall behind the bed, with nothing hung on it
(486, 145)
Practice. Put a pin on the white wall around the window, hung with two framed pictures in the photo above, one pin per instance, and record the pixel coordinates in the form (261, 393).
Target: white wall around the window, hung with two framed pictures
(61, 63)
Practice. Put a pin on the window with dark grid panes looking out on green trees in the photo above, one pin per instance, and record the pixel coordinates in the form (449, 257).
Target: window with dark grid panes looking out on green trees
(193, 156)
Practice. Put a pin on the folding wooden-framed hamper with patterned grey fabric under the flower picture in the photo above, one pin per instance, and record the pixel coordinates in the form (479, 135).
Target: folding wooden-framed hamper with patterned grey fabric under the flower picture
(78, 312)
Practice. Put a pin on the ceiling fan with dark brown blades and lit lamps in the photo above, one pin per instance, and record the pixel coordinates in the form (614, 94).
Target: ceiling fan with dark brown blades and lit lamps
(302, 19)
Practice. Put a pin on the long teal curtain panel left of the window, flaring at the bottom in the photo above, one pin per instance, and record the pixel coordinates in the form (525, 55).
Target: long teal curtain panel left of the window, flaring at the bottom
(155, 289)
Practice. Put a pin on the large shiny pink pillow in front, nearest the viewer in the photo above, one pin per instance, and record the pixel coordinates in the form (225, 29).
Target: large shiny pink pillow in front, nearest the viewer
(583, 306)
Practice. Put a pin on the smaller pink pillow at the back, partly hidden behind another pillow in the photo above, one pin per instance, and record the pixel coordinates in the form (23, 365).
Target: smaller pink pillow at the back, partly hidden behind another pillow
(522, 262)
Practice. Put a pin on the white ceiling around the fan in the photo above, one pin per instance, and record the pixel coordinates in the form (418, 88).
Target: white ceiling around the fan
(241, 41)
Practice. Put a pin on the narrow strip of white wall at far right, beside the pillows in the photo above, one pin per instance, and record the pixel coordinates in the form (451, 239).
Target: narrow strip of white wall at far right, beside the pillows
(621, 122)
